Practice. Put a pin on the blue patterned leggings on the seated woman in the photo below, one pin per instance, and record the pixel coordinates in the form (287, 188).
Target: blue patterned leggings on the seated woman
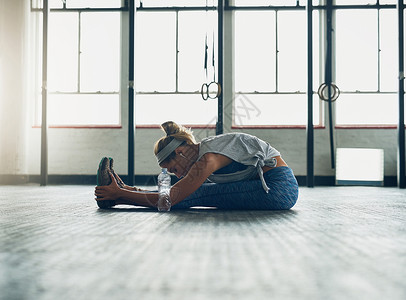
(283, 193)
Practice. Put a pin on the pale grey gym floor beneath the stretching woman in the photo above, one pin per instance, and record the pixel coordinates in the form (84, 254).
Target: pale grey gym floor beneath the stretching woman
(336, 243)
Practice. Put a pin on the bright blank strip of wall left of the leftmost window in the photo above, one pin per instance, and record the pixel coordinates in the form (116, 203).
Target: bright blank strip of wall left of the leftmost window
(13, 92)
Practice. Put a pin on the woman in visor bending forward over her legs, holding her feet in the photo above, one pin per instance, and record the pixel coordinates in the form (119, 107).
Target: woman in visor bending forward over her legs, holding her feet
(228, 171)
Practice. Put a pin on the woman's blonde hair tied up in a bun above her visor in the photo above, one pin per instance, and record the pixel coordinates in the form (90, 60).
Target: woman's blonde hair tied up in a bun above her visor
(174, 131)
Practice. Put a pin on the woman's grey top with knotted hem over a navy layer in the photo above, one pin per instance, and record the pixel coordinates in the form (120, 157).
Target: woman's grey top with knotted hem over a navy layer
(242, 148)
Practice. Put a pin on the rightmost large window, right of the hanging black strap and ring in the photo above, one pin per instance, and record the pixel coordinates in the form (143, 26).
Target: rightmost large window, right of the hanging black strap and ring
(366, 66)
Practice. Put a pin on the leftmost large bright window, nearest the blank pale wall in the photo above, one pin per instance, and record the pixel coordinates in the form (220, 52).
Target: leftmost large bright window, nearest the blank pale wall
(83, 65)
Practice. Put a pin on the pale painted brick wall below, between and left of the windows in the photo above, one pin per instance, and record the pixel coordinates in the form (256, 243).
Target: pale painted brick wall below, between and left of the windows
(78, 151)
